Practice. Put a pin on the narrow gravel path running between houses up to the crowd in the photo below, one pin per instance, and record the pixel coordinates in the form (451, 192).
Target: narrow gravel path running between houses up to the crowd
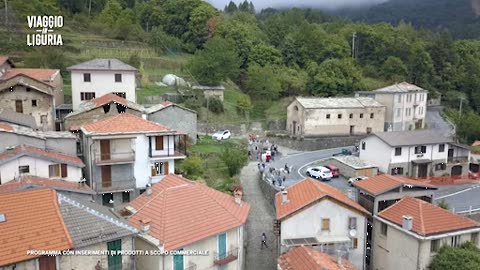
(260, 220)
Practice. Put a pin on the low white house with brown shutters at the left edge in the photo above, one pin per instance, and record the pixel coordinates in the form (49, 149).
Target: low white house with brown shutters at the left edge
(26, 160)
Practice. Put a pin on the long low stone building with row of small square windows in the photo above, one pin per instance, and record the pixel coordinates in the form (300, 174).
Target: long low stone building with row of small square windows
(334, 116)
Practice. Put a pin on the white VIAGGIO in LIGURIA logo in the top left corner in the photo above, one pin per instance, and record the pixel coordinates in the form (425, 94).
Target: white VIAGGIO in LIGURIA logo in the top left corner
(44, 27)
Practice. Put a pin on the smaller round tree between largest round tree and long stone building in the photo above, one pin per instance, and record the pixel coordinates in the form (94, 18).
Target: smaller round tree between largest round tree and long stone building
(263, 82)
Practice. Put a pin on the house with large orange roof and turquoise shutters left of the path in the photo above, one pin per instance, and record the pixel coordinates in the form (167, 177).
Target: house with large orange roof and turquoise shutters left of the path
(177, 216)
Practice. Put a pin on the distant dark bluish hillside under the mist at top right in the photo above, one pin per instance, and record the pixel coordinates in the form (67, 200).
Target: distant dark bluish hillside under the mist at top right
(460, 17)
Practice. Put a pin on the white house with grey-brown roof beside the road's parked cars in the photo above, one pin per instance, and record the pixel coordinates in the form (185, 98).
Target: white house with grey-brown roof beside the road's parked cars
(419, 154)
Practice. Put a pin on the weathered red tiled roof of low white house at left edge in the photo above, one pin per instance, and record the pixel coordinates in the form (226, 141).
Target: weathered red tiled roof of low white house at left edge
(42, 153)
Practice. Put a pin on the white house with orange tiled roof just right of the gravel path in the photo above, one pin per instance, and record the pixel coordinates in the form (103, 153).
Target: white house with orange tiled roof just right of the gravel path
(317, 215)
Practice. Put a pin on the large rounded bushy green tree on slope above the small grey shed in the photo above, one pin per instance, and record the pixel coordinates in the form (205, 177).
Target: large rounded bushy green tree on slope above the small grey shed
(215, 63)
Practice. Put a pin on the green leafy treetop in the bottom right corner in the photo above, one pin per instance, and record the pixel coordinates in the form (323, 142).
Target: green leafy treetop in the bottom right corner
(465, 257)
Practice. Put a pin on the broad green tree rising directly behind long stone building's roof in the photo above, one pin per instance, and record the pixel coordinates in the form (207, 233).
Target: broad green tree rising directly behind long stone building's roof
(334, 77)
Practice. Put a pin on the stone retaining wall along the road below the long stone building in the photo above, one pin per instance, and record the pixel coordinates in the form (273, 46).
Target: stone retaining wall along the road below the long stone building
(315, 143)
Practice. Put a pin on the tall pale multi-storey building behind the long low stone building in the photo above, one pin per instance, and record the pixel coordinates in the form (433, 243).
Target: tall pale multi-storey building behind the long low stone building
(406, 105)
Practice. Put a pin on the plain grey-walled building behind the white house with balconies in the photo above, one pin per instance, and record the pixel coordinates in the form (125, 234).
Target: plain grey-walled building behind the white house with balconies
(169, 114)
